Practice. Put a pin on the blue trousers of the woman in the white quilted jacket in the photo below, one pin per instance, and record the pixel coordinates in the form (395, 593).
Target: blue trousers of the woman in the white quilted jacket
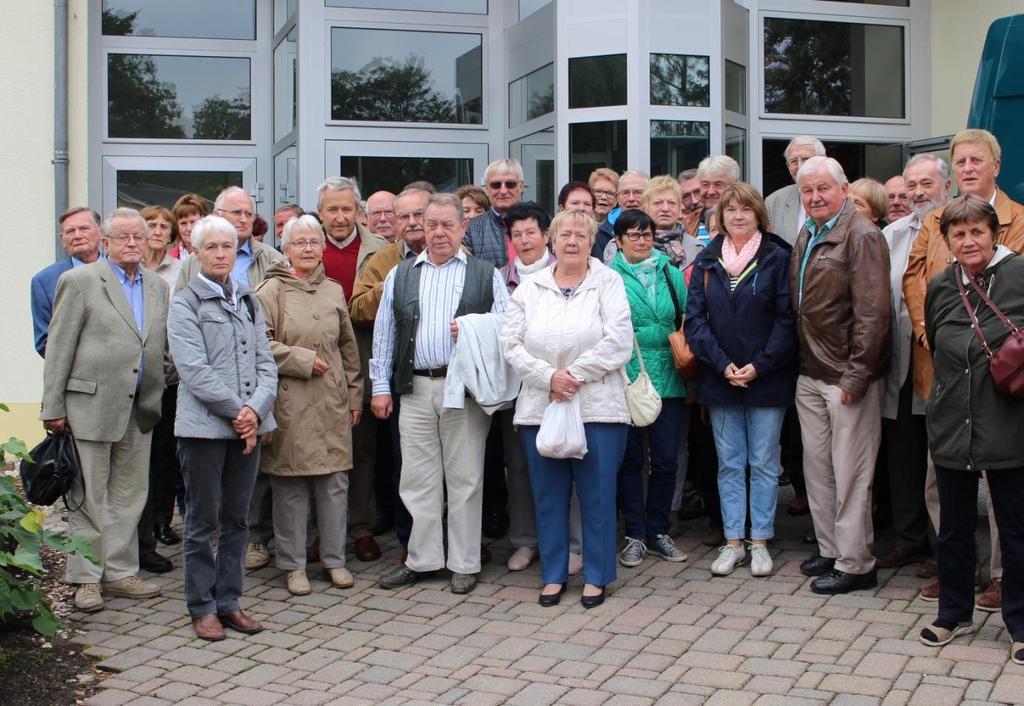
(551, 481)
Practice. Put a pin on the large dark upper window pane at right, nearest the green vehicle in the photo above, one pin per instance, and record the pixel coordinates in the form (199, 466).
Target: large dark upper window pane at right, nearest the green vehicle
(835, 69)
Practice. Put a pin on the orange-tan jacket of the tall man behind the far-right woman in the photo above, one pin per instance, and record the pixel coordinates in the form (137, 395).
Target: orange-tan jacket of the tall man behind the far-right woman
(930, 257)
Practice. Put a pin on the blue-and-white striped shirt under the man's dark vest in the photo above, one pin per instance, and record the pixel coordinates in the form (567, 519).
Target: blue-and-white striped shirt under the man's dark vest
(441, 293)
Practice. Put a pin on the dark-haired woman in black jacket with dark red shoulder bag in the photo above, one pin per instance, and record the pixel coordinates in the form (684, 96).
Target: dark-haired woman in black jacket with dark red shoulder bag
(973, 428)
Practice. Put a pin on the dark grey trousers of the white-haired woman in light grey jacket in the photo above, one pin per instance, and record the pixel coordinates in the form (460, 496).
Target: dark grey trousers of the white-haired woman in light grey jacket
(220, 483)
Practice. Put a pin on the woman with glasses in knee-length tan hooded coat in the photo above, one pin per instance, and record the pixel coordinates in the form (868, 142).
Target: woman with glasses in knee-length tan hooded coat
(319, 384)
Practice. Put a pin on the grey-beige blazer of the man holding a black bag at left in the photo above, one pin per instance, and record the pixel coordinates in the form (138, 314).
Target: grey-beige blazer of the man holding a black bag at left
(94, 352)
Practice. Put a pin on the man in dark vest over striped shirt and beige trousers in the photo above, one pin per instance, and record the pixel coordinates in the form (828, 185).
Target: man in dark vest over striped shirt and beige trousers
(442, 449)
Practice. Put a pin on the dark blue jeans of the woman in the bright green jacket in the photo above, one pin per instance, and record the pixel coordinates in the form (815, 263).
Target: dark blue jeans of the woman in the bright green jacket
(647, 523)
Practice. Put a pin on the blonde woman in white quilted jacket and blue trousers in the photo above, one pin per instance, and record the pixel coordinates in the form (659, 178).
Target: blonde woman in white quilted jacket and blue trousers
(568, 334)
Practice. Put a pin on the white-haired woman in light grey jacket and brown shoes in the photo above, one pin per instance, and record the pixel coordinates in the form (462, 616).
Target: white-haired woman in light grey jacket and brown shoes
(219, 342)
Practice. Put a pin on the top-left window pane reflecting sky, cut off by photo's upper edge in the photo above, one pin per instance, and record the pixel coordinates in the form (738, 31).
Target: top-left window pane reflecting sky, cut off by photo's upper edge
(193, 19)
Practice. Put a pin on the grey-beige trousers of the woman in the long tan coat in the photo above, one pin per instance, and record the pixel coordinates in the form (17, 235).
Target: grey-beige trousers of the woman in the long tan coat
(292, 496)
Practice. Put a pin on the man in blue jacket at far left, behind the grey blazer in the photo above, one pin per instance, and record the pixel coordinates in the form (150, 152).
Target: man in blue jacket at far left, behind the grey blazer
(80, 238)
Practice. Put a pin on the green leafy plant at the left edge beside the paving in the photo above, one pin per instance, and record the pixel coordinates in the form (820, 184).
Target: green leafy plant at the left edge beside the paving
(22, 536)
